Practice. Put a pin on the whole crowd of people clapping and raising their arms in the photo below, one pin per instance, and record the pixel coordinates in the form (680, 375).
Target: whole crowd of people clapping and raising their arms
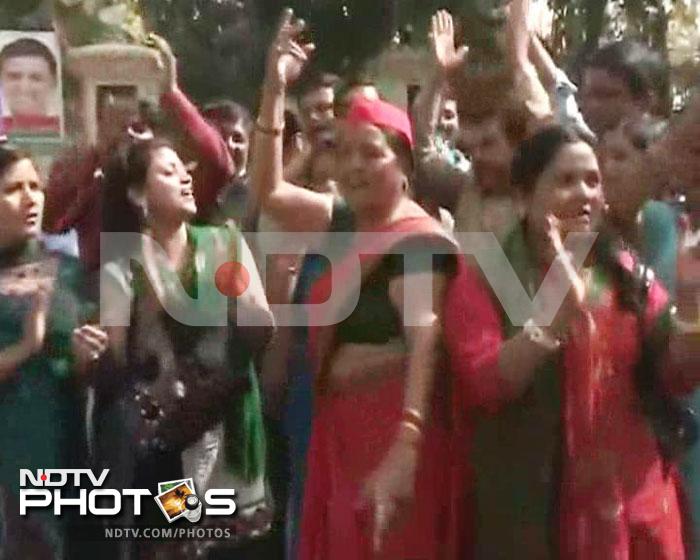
(376, 392)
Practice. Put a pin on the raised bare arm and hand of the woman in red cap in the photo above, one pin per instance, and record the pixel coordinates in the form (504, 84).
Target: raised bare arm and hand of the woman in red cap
(294, 208)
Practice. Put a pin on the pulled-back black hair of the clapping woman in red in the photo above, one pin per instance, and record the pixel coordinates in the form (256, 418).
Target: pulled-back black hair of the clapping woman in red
(532, 156)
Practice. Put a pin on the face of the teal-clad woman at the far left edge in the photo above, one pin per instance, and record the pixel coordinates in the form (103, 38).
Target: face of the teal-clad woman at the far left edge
(21, 203)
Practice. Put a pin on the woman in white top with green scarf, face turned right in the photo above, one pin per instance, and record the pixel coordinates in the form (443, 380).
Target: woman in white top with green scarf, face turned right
(217, 439)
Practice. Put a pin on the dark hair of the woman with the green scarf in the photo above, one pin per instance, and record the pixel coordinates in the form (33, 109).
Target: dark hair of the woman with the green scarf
(127, 169)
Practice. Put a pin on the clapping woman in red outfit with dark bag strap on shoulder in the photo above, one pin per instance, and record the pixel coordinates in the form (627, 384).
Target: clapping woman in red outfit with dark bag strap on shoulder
(574, 456)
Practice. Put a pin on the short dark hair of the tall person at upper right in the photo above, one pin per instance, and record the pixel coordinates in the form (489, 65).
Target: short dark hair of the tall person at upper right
(643, 70)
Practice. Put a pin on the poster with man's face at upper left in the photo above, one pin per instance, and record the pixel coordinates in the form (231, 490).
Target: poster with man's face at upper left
(30, 84)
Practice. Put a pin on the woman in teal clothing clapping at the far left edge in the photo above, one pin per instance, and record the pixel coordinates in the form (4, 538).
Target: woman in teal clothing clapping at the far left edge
(41, 348)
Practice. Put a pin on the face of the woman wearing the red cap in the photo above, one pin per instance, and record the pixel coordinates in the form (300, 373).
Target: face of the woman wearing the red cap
(369, 171)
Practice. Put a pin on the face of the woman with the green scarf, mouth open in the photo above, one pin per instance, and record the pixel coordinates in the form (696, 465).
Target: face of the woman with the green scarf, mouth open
(169, 194)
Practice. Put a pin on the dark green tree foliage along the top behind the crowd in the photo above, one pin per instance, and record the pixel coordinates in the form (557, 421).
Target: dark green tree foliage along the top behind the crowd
(221, 44)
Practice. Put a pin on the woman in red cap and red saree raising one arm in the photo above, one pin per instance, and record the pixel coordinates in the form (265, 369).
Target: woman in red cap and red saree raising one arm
(379, 463)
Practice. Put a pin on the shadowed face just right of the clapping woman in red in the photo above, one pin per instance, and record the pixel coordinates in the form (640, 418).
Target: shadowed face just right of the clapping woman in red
(623, 165)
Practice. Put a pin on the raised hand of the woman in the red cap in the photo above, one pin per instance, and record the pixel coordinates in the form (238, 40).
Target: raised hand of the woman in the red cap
(287, 55)
